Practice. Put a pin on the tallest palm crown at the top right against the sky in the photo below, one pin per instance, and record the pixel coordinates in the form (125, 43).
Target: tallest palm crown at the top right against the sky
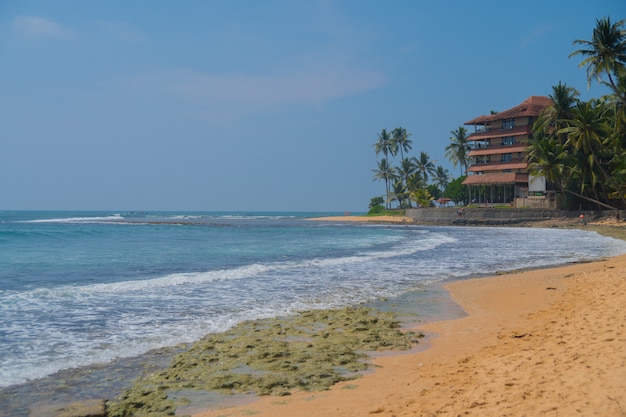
(605, 53)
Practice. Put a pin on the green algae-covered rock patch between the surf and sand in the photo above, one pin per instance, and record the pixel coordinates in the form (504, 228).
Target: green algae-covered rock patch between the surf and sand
(310, 351)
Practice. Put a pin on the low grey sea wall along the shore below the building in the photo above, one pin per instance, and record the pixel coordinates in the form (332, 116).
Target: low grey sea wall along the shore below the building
(494, 216)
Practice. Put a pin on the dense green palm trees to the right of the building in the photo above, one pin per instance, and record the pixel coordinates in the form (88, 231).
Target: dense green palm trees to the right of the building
(580, 146)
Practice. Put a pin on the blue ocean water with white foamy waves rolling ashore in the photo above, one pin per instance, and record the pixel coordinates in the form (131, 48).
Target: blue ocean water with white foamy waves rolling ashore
(86, 288)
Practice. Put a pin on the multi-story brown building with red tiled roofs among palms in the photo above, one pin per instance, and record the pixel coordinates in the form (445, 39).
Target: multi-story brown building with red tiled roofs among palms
(498, 173)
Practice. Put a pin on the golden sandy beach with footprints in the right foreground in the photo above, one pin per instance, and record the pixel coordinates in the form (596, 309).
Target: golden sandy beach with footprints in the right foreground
(538, 343)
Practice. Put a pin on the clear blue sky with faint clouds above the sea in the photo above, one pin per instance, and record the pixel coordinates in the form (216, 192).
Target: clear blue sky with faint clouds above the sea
(257, 105)
